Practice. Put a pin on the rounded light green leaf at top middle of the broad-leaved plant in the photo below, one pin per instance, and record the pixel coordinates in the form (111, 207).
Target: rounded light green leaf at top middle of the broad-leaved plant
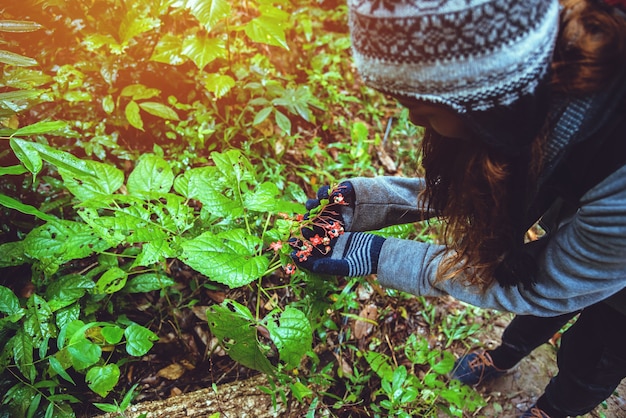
(152, 174)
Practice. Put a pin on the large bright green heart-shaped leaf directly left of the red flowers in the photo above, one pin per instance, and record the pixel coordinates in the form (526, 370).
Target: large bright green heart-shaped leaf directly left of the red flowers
(229, 257)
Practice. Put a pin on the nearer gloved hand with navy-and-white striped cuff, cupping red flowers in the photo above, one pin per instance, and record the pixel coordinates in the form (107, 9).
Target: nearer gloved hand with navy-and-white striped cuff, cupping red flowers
(349, 254)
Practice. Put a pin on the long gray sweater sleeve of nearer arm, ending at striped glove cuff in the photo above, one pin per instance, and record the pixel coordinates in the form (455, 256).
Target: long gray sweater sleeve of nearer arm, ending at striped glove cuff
(584, 262)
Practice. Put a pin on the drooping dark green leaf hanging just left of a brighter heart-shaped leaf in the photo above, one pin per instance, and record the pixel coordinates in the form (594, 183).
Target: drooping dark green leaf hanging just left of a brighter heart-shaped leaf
(233, 324)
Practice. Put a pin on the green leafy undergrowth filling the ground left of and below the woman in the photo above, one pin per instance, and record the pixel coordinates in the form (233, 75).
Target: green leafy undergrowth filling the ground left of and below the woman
(150, 133)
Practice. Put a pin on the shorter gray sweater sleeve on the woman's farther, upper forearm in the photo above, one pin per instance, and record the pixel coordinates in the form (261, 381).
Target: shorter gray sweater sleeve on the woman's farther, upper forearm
(384, 201)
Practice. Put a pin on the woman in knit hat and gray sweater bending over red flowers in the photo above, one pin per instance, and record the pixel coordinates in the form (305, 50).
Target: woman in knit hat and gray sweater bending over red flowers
(524, 105)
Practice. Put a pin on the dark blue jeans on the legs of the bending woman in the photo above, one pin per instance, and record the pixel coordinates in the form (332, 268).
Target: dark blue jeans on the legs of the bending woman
(591, 358)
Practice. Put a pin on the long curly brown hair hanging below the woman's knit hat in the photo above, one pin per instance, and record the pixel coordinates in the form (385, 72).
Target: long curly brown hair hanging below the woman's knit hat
(472, 184)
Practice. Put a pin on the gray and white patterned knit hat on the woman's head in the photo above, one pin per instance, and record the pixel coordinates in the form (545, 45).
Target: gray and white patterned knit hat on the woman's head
(471, 55)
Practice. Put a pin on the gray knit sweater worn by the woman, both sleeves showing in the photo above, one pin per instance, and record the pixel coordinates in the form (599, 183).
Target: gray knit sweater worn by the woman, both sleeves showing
(584, 261)
